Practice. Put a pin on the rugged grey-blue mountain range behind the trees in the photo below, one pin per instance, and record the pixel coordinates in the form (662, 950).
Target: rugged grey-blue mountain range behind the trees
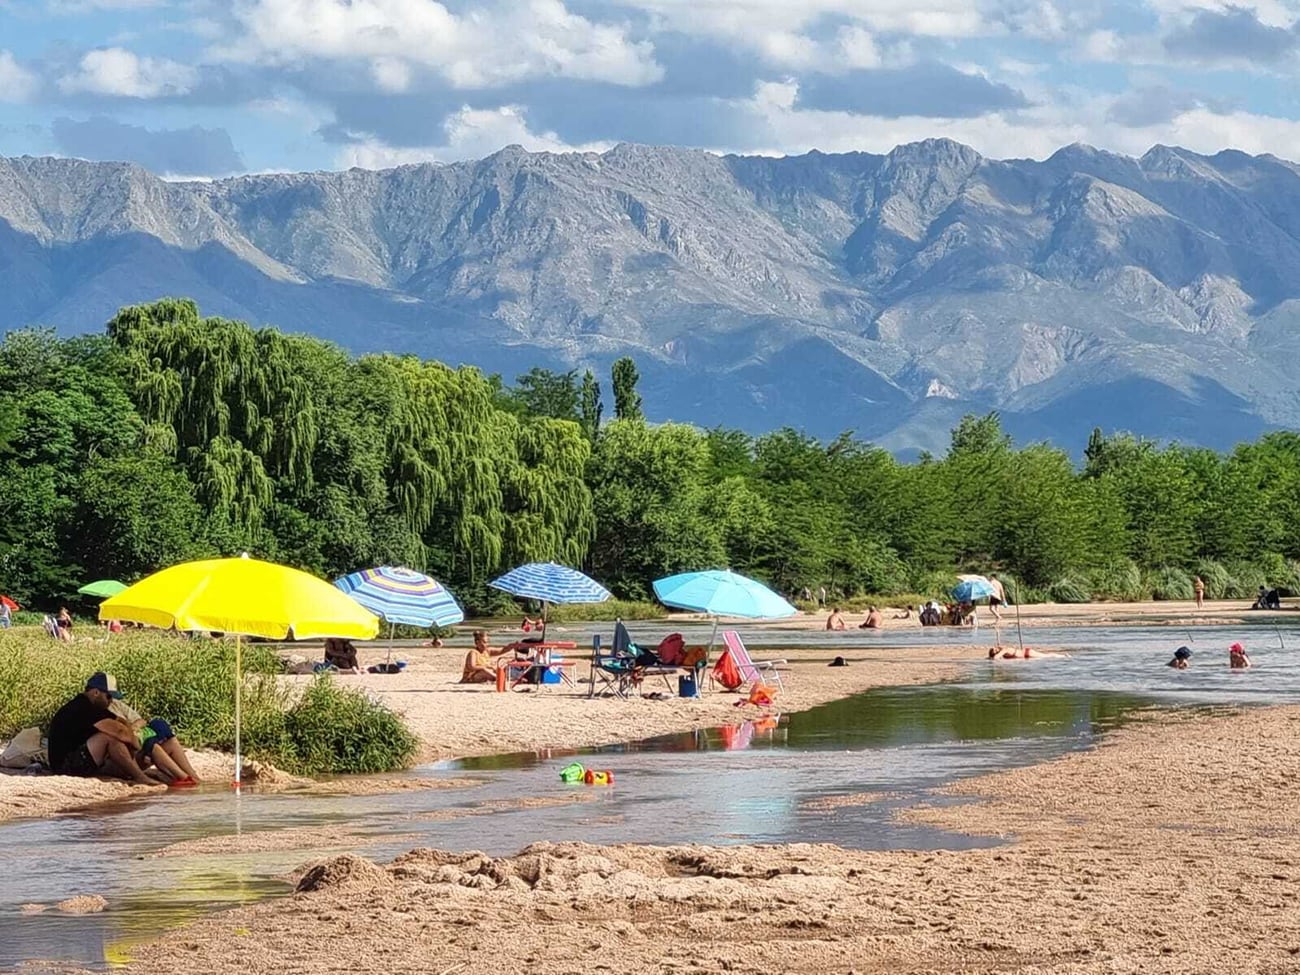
(887, 294)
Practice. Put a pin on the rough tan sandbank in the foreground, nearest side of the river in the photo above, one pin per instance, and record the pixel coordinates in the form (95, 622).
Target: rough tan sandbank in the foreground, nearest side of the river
(1172, 848)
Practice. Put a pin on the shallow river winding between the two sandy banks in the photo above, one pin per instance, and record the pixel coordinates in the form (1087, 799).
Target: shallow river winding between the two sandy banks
(755, 782)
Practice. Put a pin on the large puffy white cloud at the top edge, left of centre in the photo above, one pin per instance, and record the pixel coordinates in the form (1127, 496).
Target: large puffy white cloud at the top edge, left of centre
(489, 45)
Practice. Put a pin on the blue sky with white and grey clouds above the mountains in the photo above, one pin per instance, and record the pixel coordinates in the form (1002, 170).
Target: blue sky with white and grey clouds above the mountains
(206, 89)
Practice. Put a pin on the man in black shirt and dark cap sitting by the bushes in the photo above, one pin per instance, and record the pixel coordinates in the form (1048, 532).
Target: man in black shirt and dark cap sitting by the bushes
(88, 739)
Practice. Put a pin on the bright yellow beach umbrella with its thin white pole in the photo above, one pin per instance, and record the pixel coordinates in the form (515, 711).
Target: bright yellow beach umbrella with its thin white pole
(246, 597)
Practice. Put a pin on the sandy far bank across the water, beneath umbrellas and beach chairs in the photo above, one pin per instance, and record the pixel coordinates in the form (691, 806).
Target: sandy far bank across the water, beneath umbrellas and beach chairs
(457, 721)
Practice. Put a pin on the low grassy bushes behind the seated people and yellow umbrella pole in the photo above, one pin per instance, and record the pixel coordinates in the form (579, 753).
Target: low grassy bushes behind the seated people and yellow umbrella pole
(190, 683)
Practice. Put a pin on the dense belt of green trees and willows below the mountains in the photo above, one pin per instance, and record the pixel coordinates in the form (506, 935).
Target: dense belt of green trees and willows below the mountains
(174, 437)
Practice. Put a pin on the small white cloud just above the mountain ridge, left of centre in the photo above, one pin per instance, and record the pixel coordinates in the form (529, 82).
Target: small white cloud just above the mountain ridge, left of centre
(471, 135)
